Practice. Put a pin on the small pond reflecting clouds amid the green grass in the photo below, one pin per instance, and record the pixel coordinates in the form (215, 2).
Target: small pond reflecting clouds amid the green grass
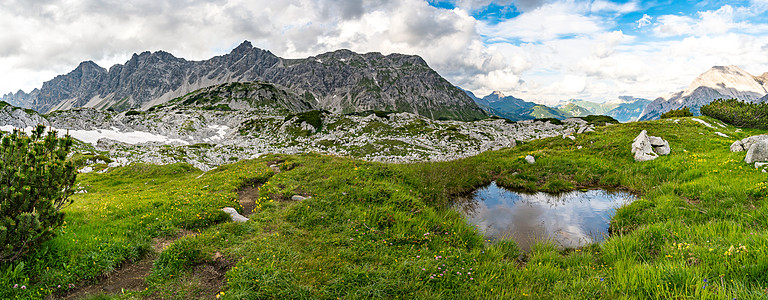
(570, 219)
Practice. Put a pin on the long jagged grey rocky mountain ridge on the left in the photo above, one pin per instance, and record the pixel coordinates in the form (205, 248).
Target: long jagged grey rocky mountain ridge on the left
(341, 81)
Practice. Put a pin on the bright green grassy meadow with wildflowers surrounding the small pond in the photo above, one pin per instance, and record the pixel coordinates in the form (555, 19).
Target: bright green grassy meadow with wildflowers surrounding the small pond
(371, 230)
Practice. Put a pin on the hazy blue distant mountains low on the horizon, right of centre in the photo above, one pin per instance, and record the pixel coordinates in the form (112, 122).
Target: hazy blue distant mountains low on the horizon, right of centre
(624, 109)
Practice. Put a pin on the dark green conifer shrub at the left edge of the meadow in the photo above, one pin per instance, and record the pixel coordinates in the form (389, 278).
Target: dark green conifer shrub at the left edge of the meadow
(36, 181)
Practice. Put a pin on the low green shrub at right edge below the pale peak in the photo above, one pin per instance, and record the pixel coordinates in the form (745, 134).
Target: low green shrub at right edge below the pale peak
(738, 113)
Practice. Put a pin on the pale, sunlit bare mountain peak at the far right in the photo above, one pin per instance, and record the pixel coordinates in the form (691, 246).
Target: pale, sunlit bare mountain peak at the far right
(718, 82)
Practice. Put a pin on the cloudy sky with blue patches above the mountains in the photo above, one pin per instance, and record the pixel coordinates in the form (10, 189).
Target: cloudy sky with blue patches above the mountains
(543, 51)
